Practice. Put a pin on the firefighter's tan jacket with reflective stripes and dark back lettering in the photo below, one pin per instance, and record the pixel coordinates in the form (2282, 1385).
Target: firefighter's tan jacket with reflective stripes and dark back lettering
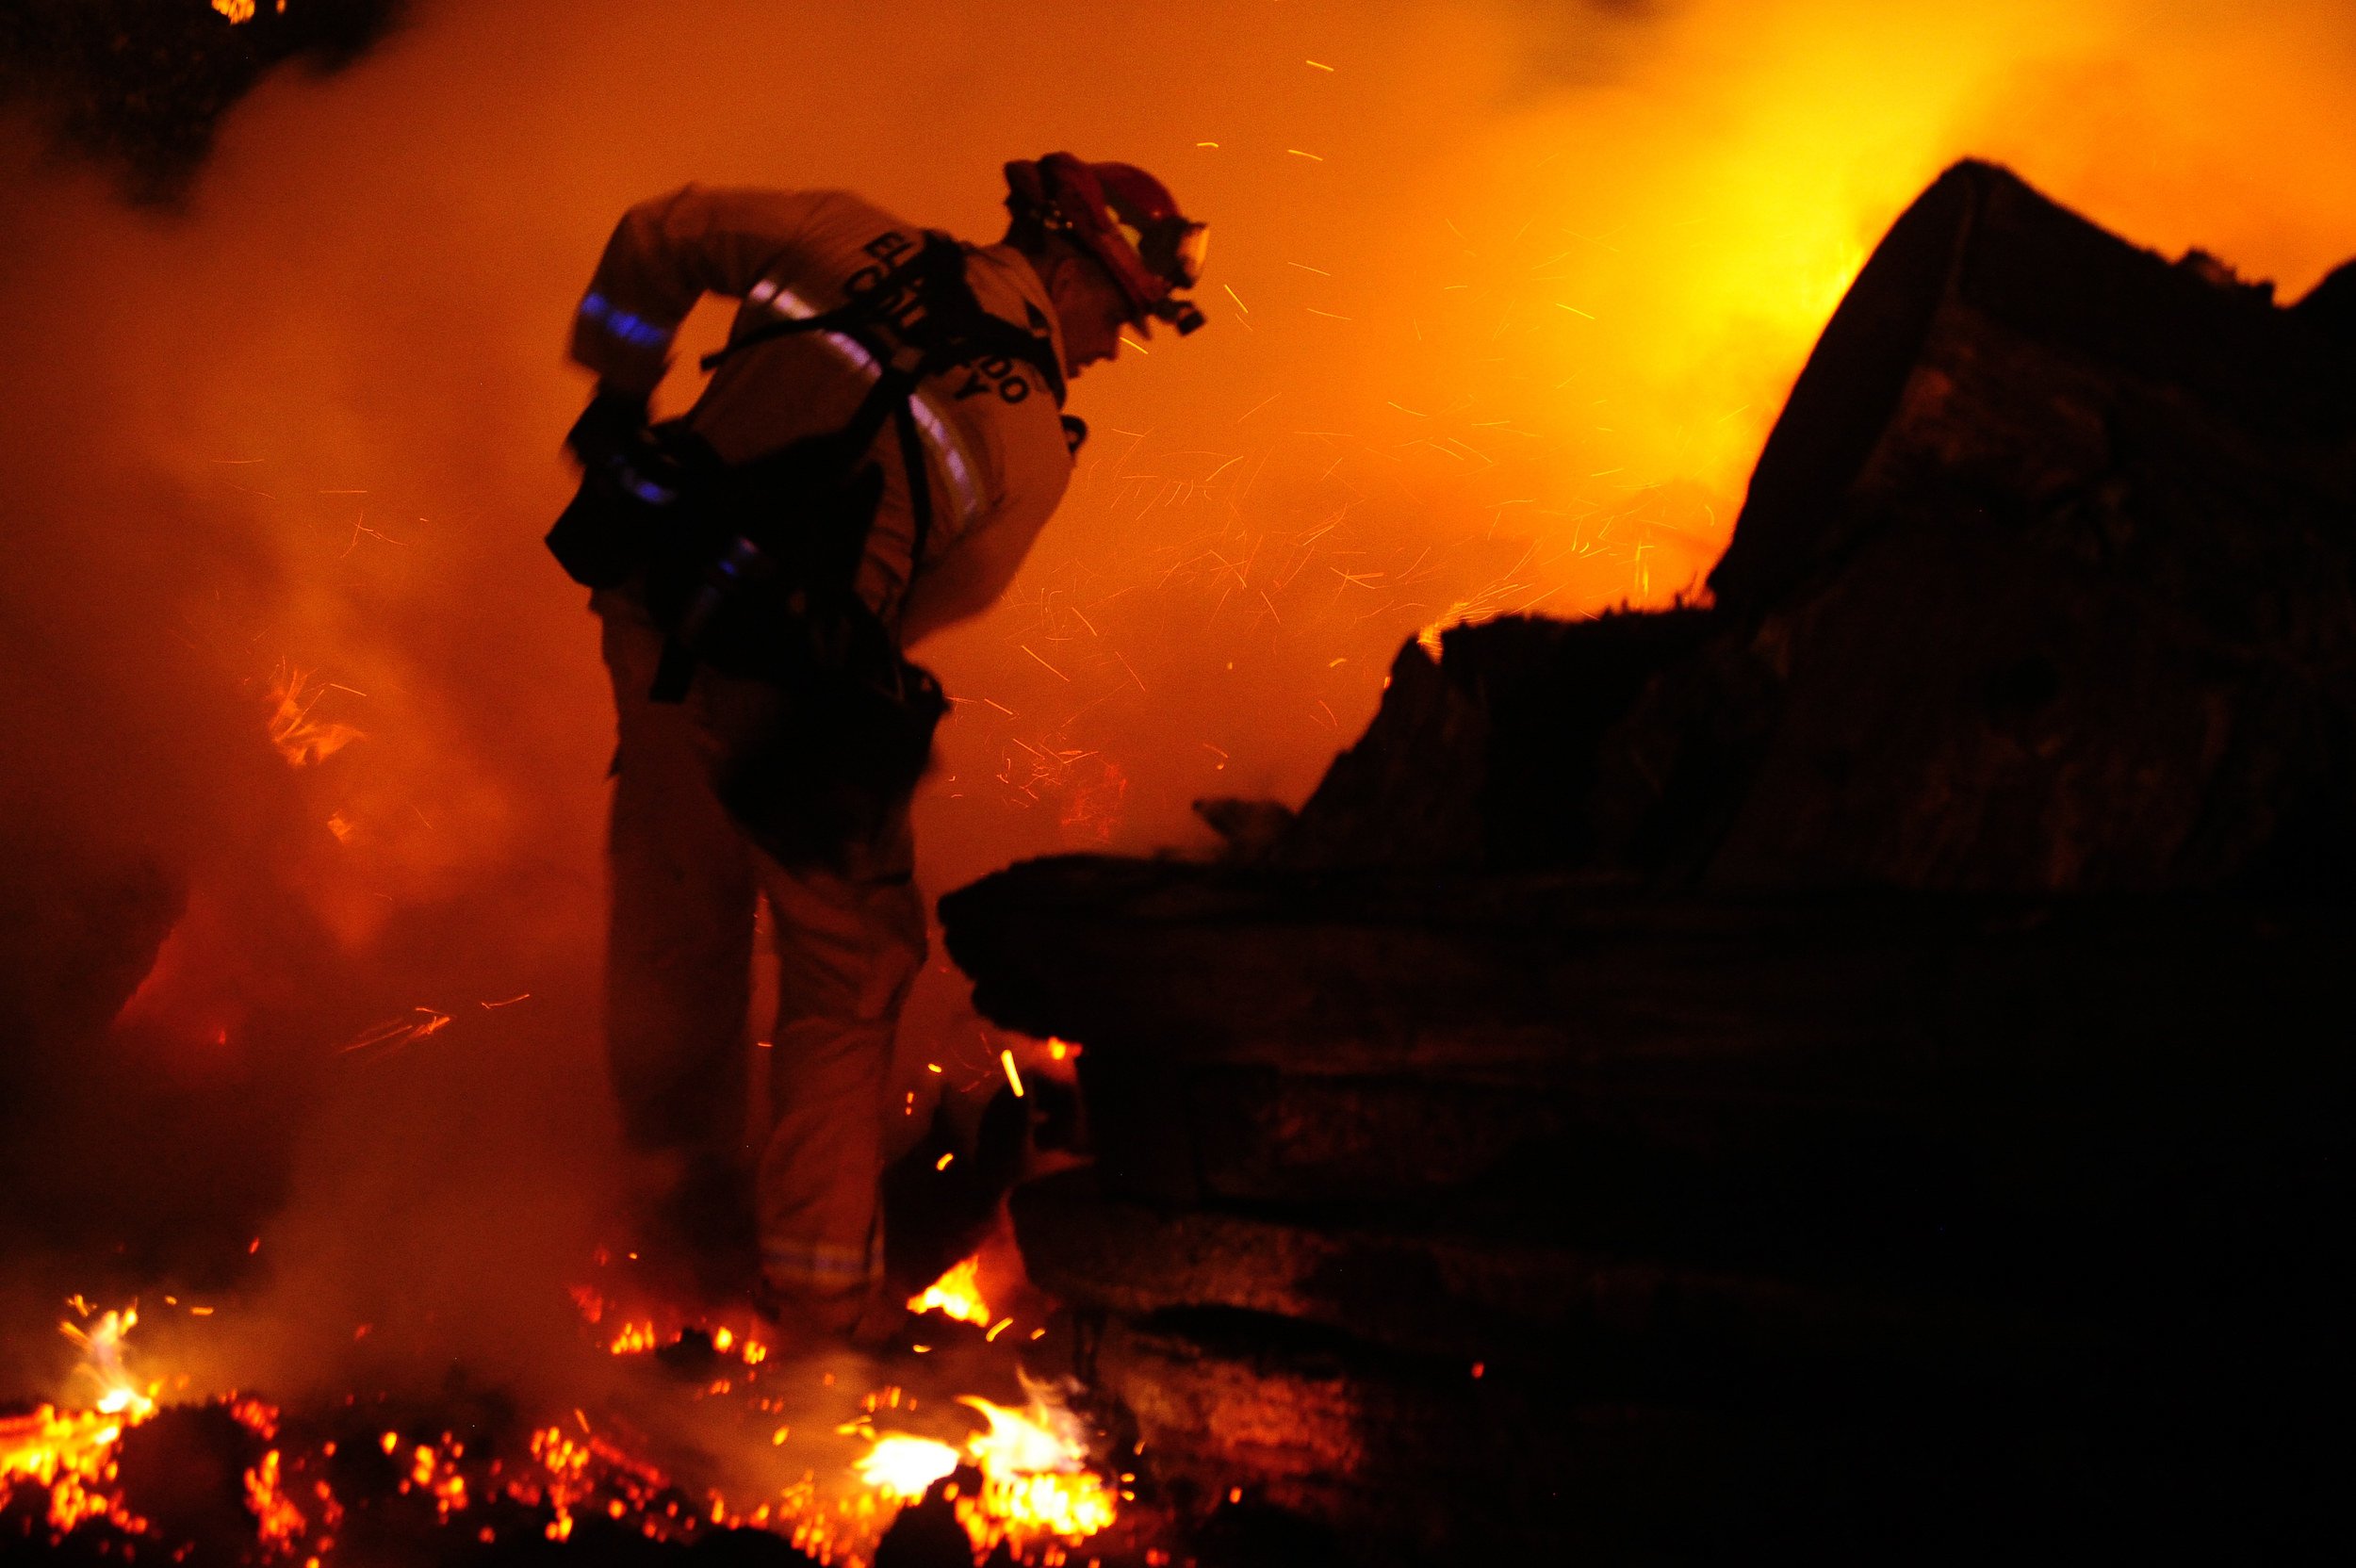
(995, 449)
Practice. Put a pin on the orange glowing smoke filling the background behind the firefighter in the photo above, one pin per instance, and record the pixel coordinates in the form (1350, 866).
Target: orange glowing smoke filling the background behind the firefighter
(1504, 303)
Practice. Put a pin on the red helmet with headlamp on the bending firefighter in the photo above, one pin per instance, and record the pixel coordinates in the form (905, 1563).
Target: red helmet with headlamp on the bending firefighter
(1120, 215)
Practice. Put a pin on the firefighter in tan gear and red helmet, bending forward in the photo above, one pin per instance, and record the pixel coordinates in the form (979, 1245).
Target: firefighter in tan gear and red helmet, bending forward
(967, 460)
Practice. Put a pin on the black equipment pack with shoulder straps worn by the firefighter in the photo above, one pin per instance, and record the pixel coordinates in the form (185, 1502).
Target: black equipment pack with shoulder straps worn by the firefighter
(753, 569)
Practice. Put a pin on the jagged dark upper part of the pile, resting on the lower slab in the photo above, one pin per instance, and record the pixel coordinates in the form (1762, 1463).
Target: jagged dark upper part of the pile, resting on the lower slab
(2046, 583)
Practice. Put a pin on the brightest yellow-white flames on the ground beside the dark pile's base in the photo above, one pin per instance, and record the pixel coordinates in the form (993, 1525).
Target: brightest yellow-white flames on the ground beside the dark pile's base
(1033, 1463)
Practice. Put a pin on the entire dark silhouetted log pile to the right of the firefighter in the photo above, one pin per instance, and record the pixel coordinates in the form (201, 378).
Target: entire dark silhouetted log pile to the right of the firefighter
(1848, 1065)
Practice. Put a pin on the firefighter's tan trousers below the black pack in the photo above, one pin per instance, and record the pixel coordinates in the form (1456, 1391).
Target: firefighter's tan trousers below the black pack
(677, 978)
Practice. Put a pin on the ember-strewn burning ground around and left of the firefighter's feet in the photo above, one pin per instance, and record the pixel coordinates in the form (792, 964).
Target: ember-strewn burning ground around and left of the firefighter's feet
(687, 1435)
